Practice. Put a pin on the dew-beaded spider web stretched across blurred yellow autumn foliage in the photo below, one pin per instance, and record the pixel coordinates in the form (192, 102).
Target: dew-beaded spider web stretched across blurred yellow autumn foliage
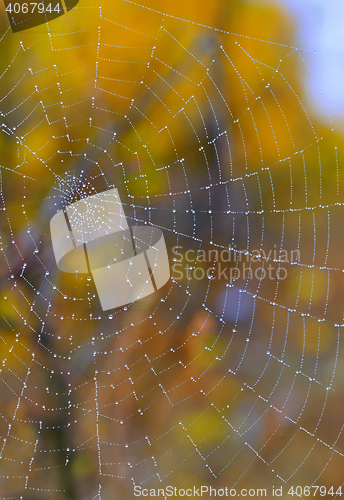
(201, 125)
